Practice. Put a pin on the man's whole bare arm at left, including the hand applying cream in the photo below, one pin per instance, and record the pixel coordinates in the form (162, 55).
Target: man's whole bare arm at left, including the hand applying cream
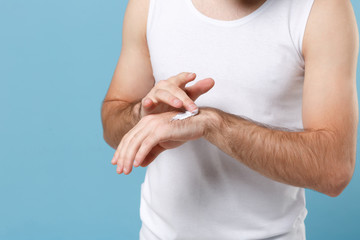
(132, 93)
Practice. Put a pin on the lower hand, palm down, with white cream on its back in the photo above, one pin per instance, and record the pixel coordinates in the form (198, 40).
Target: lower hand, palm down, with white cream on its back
(154, 134)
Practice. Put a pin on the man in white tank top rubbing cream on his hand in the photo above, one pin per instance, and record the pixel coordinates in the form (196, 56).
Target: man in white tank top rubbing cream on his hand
(278, 113)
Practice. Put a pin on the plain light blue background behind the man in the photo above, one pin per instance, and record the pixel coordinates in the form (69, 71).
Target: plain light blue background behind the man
(56, 181)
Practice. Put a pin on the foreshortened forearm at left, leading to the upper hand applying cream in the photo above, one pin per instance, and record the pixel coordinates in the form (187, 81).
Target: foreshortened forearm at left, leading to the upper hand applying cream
(118, 118)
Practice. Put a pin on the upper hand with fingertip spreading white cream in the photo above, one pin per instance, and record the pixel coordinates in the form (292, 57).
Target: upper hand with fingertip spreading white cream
(171, 94)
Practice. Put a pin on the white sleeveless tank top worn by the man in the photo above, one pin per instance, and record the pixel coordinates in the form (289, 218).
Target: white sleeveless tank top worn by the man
(196, 191)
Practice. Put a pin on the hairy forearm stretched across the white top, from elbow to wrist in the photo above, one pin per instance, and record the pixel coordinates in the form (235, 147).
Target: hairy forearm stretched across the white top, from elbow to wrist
(310, 158)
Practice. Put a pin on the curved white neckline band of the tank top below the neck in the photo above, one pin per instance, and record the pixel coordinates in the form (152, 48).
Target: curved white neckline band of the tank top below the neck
(228, 23)
